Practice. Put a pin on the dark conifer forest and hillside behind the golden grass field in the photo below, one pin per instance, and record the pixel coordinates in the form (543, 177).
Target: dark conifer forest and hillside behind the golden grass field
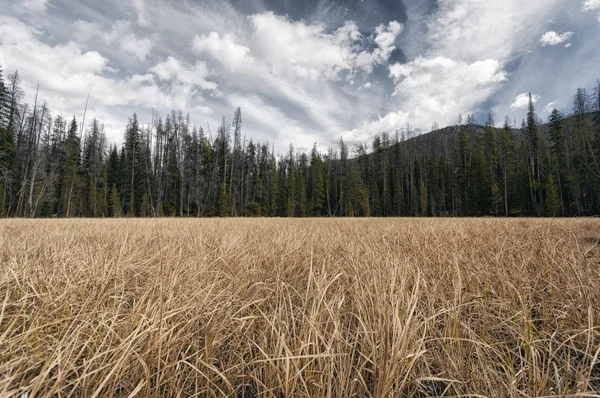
(55, 167)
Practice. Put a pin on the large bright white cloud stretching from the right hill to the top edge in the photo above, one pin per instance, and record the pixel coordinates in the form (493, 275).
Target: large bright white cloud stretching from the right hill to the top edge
(468, 42)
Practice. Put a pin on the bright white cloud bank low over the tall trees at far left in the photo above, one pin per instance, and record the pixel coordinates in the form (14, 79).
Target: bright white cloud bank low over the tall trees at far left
(67, 72)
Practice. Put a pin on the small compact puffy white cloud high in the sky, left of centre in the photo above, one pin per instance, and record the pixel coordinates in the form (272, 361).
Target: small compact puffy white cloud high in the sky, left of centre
(224, 49)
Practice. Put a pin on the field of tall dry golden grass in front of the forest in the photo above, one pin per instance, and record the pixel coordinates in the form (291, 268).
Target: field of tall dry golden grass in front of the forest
(299, 308)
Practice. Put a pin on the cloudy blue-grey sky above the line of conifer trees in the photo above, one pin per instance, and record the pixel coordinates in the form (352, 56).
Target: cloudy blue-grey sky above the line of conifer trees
(302, 71)
